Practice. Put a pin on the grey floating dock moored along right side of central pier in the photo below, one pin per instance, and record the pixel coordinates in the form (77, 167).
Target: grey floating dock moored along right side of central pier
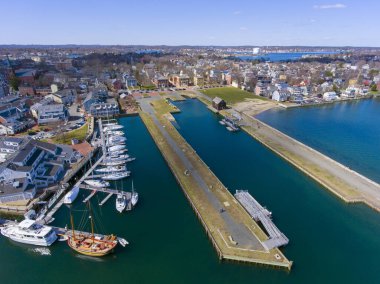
(261, 214)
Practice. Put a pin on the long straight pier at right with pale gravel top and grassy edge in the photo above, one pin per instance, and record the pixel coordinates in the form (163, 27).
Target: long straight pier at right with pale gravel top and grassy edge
(347, 184)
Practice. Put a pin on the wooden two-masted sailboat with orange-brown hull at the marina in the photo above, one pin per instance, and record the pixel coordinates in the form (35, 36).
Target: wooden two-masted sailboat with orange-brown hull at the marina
(91, 245)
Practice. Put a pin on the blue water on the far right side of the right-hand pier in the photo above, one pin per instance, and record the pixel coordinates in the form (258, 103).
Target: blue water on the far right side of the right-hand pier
(348, 132)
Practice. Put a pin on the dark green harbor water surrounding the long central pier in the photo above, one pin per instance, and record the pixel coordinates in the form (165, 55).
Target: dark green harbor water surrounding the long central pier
(330, 242)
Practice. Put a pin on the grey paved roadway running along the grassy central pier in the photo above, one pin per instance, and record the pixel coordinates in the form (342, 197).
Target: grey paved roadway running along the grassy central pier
(238, 231)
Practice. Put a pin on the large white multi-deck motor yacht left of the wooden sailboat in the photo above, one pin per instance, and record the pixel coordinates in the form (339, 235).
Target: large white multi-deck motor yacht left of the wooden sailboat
(30, 232)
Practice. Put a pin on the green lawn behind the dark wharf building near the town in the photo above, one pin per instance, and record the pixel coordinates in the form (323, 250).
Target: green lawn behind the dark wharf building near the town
(230, 94)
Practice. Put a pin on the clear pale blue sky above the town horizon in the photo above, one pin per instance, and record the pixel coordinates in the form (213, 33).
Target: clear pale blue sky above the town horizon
(195, 22)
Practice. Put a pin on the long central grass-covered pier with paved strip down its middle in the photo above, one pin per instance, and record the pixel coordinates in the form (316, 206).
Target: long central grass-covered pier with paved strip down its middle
(233, 233)
